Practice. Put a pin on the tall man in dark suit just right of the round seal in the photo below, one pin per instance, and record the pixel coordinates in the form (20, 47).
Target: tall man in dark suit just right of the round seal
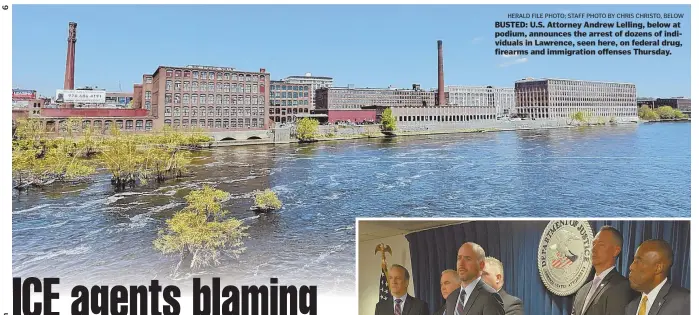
(609, 292)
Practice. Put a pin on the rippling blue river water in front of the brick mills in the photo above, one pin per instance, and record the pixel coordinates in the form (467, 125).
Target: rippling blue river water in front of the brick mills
(88, 233)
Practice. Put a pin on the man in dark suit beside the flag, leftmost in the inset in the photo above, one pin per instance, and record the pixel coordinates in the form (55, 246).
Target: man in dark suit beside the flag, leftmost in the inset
(401, 303)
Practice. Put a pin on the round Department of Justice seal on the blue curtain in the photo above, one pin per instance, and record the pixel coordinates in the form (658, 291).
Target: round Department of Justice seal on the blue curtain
(564, 256)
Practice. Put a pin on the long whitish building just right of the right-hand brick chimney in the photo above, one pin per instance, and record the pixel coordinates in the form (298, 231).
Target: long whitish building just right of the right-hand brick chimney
(503, 99)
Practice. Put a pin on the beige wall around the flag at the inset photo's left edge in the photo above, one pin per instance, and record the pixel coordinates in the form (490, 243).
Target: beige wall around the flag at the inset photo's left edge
(369, 269)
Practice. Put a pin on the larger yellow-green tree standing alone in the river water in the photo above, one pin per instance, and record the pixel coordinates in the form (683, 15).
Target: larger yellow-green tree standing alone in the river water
(200, 233)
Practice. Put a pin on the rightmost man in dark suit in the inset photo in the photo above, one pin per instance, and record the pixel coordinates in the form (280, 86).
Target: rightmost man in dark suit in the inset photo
(648, 275)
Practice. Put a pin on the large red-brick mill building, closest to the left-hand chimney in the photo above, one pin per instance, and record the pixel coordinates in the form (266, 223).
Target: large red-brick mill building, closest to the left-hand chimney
(214, 98)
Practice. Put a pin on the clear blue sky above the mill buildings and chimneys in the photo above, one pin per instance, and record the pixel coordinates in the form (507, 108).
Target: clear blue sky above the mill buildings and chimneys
(374, 46)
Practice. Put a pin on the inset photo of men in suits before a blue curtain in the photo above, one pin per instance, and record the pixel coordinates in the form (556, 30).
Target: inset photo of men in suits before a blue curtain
(516, 267)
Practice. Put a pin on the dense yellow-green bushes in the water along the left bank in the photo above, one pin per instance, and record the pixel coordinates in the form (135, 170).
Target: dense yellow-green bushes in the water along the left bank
(76, 154)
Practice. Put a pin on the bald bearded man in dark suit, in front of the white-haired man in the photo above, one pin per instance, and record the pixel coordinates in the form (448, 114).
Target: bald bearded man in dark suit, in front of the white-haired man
(474, 297)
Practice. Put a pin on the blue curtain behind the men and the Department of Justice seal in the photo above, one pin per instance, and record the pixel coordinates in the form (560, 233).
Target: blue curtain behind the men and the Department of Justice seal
(515, 243)
